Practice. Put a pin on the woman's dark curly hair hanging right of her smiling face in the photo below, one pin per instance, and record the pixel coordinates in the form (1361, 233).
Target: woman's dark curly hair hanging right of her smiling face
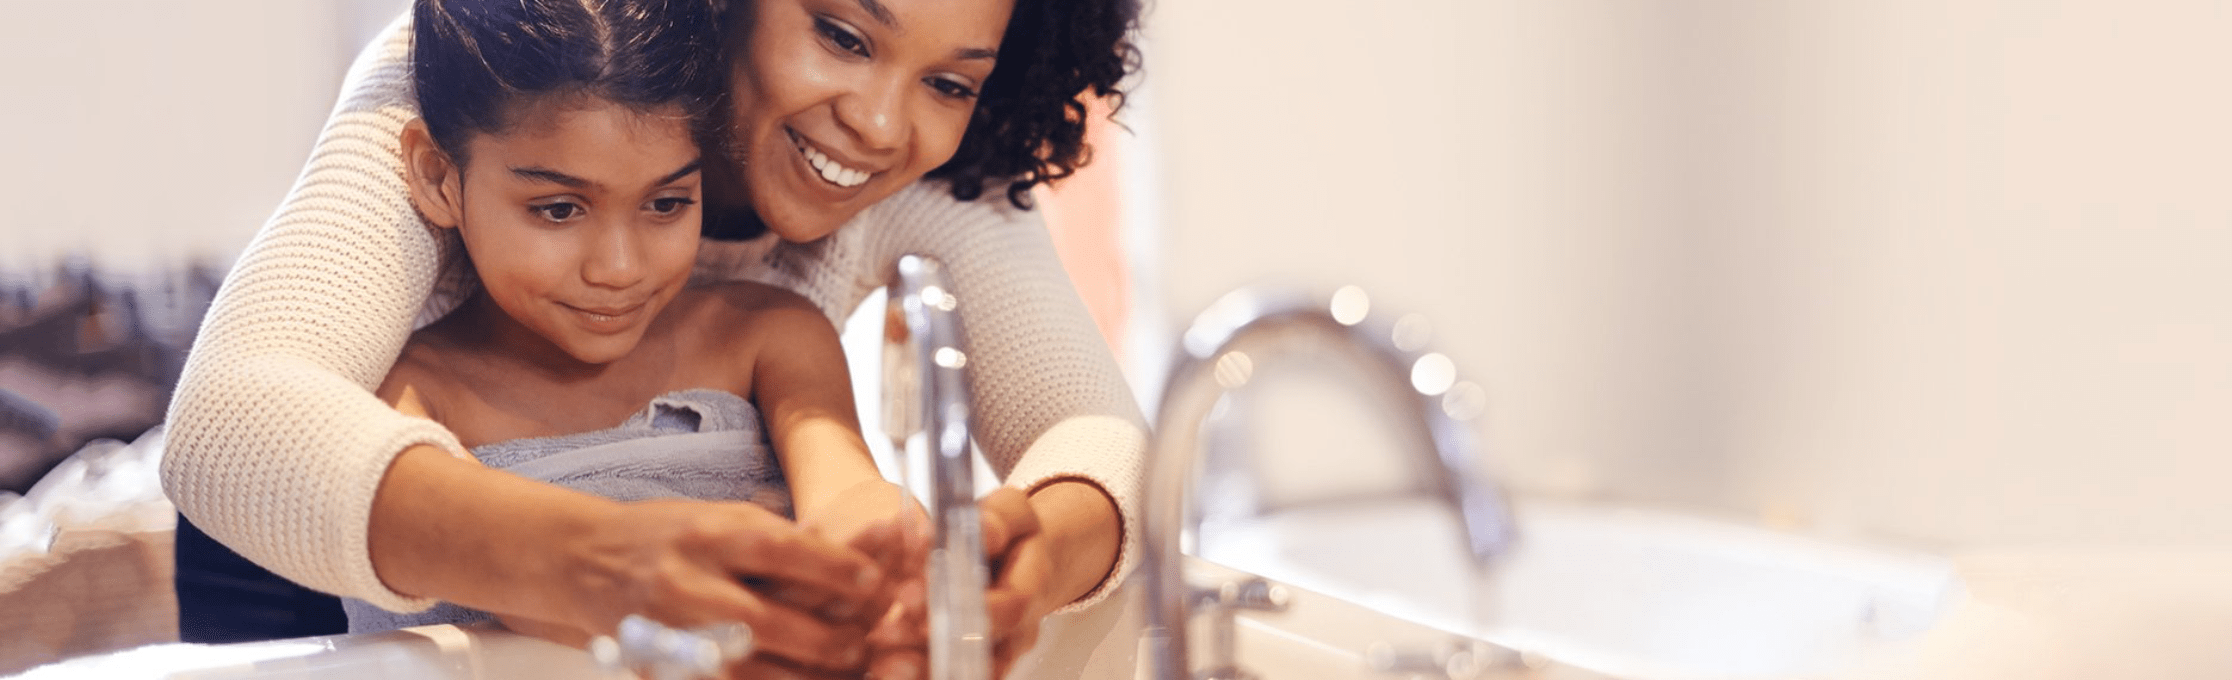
(1030, 124)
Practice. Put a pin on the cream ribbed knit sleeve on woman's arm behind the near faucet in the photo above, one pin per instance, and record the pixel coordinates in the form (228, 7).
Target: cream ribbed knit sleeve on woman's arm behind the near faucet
(1048, 396)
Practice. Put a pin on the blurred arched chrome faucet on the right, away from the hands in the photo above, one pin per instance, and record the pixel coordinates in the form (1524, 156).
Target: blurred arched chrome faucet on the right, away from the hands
(1226, 344)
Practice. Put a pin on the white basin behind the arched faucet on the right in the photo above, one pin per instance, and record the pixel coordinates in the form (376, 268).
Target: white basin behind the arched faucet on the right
(1622, 592)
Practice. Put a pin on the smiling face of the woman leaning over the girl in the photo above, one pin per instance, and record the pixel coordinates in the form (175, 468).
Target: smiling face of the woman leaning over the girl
(840, 104)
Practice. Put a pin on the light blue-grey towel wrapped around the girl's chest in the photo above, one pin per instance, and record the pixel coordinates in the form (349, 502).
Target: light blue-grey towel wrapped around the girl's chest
(697, 445)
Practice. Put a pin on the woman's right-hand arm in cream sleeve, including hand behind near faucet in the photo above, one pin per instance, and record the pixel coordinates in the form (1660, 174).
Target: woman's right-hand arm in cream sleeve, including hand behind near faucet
(1050, 407)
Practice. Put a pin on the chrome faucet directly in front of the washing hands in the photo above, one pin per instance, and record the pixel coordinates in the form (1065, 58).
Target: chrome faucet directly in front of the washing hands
(927, 416)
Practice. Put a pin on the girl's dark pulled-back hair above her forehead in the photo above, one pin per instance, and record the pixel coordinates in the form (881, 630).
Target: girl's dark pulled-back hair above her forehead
(474, 61)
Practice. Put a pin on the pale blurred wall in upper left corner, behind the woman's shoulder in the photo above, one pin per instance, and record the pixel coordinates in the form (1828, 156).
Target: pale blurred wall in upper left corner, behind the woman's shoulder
(153, 133)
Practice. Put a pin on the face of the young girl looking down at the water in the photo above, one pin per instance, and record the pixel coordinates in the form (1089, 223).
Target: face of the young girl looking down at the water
(584, 222)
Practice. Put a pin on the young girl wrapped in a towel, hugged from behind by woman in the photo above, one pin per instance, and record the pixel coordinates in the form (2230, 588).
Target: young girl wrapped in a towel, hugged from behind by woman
(561, 144)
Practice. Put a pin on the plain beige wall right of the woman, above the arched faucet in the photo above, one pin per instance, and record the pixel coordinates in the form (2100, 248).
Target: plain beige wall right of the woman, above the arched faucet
(1947, 273)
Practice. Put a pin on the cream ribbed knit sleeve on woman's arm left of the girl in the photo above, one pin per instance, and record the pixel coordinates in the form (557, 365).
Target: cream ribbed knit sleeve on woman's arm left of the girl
(276, 438)
